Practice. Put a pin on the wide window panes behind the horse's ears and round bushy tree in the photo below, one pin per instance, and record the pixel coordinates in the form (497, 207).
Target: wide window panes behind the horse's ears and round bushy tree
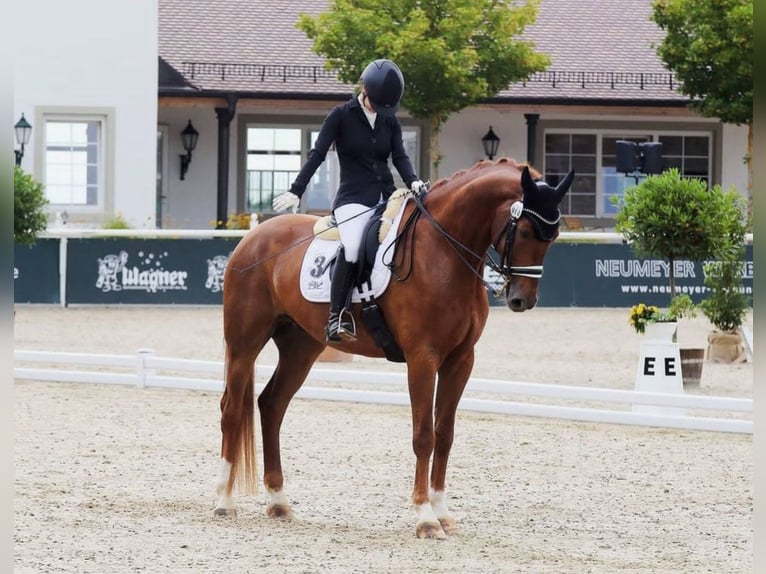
(593, 157)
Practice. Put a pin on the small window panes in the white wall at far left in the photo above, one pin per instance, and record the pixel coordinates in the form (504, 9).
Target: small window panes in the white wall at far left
(74, 162)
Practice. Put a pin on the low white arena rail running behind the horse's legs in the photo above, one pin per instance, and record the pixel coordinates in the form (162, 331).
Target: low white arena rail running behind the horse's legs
(145, 369)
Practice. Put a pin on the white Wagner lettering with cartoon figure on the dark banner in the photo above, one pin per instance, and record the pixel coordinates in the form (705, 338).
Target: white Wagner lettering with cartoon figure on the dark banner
(148, 274)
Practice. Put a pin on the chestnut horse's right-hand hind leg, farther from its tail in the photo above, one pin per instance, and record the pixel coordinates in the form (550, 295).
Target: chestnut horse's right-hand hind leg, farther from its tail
(297, 354)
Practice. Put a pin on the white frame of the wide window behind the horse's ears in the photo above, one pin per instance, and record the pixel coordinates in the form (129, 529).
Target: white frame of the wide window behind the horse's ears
(599, 133)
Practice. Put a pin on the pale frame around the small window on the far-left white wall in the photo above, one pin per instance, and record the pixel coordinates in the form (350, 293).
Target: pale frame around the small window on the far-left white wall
(103, 208)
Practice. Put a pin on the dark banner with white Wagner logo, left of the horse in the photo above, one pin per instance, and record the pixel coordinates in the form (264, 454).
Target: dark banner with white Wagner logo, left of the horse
(147, 271)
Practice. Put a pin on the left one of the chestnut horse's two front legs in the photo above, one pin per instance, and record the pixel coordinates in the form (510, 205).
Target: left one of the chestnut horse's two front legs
(421, 380)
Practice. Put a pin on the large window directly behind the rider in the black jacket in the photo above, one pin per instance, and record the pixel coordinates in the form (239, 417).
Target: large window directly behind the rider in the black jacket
(275, 155)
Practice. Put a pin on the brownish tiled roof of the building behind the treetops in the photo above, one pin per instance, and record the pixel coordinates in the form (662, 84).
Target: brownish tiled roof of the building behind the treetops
(583, 37)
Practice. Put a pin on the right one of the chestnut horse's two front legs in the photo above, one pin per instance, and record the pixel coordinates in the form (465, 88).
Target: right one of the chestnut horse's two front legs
(453, 377)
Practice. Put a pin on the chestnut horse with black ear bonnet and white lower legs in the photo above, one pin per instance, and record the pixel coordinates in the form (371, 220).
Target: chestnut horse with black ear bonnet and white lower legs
(435, 313)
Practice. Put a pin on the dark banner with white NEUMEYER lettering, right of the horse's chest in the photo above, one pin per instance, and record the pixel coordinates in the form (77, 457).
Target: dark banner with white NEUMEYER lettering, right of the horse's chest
(610, 275)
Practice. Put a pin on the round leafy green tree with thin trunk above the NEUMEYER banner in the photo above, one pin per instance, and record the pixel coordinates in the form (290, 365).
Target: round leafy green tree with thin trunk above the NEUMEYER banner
(672, 217)
